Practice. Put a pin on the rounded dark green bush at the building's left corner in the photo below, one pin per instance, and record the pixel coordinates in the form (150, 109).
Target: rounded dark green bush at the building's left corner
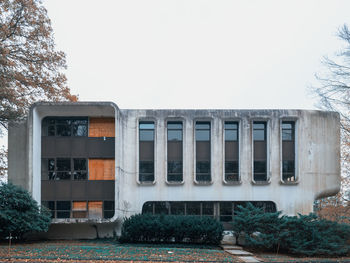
(20, 213)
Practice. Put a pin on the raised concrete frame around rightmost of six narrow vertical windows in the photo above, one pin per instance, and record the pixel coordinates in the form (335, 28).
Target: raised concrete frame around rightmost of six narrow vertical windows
(294, 119)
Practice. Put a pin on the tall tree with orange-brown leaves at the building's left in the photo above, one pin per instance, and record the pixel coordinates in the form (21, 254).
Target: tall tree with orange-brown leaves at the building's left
(30, 67)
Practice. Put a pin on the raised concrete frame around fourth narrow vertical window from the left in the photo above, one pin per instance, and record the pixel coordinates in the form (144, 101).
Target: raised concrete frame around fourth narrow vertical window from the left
(239, 138)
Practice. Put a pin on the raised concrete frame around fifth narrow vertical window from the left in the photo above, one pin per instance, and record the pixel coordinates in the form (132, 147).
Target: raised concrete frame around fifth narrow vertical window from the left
(267, 120)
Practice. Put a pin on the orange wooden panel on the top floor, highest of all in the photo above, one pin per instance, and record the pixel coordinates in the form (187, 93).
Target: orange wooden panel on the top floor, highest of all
(101, 127)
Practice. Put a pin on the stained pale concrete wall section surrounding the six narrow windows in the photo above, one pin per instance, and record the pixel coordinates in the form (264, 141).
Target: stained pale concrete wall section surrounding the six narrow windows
(317, 159)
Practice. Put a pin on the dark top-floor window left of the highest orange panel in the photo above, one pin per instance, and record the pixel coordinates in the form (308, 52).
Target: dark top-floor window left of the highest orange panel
(65, 126)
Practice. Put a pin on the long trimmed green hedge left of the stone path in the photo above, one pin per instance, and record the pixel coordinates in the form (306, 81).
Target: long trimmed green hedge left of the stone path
(171, 228)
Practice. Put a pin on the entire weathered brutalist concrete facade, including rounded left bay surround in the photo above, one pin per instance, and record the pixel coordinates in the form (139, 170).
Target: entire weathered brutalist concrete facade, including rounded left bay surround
(316, 157)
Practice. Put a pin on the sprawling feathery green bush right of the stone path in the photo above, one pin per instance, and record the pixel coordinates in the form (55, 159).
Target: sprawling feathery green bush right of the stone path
(303, 234)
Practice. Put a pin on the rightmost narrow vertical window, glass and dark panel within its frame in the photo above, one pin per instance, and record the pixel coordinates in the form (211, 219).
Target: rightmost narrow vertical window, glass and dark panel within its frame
(288, 151)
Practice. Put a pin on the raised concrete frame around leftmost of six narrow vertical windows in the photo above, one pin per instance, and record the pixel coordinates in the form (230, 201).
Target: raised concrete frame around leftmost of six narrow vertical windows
(155, 162)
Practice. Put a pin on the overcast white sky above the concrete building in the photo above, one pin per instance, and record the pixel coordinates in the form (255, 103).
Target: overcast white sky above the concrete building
(196, 54)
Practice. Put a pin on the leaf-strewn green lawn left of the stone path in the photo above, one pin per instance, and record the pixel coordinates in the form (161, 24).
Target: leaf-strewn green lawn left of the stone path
(110, 251)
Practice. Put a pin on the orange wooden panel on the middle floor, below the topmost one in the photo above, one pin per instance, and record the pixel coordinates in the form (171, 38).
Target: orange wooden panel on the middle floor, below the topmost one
(101, 169)
